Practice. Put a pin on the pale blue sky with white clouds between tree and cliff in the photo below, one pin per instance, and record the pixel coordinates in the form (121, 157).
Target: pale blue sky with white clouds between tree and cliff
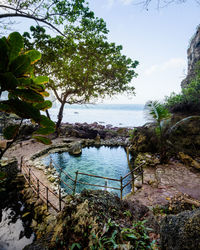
(157, 38)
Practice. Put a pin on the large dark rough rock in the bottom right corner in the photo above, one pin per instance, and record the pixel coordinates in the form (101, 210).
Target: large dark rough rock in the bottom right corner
(181, 232)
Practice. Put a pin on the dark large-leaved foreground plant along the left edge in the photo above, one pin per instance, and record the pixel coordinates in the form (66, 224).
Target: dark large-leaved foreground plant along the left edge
(25, 91)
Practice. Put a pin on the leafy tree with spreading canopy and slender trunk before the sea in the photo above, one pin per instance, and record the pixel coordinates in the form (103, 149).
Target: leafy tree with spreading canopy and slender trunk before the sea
(83, 66)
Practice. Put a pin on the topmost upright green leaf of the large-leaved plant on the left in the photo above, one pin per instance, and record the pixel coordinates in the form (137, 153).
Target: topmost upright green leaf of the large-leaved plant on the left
(15, 42)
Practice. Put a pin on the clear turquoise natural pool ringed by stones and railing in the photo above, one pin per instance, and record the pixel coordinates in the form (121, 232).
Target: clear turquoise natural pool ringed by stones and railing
(103, 161)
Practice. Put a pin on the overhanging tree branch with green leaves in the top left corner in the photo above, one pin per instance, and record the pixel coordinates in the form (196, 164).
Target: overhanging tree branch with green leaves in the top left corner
(55, 14)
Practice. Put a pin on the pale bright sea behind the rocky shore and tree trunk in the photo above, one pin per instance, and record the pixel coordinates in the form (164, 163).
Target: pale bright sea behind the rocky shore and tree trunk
(118, 115)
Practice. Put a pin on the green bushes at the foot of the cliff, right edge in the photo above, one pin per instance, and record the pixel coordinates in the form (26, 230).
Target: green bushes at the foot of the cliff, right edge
(189, 99)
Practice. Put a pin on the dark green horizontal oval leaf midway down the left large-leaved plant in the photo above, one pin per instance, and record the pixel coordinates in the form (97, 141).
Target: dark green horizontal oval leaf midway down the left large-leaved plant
(28, 95)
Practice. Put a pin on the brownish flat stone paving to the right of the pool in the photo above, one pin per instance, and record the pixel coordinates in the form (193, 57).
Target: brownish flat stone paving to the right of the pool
(164, 181)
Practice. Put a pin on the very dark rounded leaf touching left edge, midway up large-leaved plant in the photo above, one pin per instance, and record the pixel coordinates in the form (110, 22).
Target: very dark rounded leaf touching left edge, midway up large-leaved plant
(8, 81)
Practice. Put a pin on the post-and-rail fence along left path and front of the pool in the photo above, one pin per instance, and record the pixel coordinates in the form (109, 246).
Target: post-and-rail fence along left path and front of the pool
(55, 200)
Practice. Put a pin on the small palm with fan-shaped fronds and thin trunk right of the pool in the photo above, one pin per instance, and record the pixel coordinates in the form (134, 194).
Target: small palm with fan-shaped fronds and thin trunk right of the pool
(158, 113)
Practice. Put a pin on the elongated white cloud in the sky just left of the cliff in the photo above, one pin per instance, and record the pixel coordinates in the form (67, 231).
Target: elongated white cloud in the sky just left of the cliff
(170, 64)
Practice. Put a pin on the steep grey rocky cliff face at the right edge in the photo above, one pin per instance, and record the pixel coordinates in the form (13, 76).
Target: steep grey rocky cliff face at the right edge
(193, 55)
